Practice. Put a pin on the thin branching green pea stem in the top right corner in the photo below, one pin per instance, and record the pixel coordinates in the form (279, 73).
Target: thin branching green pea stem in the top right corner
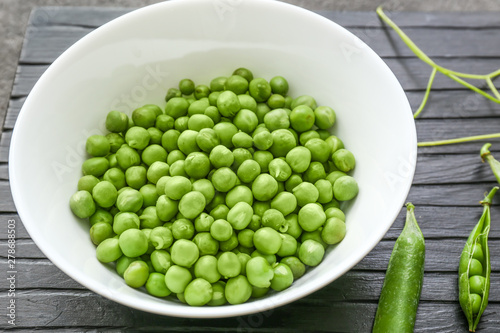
(445, 71)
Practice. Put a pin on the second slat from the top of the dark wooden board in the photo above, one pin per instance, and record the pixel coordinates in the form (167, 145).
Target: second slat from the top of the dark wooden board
(45, 44)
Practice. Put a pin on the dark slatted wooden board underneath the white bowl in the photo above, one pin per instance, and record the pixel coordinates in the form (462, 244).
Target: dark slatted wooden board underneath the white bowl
(449, 182)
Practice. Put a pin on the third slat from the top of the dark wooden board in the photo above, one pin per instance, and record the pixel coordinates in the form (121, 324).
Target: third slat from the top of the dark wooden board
(412, 73)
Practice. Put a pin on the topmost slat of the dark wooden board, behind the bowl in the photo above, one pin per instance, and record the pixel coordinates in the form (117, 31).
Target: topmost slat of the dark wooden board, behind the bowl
(94, 17)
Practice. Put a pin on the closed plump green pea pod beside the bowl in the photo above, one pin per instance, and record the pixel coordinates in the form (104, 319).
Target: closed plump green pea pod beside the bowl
(398, 303)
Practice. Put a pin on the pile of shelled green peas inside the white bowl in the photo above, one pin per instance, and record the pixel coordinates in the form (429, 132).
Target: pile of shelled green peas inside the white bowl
(229, 191)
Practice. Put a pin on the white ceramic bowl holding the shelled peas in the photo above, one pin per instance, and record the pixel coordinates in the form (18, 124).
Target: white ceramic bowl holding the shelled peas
(134, 59)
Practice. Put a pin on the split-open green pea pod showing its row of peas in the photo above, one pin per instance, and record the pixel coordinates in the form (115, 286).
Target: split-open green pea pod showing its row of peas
(475, 266)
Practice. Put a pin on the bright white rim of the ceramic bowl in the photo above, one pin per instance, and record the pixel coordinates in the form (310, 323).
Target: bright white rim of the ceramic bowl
(184, 310)
